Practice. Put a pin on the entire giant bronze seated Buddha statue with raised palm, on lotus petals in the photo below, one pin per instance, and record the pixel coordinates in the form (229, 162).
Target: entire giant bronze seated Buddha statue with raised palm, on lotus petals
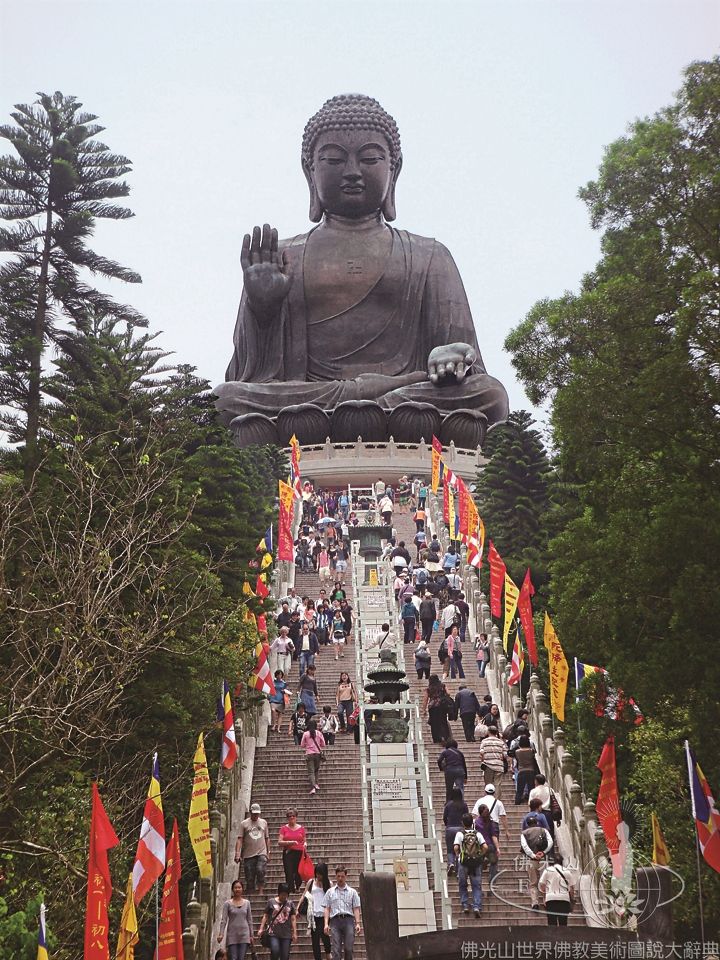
(355, 328)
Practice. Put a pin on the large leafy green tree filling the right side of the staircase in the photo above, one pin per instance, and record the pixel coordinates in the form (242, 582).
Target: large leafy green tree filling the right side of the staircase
(631, 365)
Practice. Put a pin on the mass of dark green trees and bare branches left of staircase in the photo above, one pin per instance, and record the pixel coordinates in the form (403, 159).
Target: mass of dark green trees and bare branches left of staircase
(122, 558)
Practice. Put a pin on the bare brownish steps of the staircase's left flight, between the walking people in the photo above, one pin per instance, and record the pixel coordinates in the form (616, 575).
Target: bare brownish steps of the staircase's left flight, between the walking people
(332, 817)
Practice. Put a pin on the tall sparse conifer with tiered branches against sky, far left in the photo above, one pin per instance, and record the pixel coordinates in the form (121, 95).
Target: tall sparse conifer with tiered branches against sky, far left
(59, 181)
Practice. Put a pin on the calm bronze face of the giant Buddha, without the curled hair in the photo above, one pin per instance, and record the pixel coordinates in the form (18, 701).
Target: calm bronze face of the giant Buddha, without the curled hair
(351, 172)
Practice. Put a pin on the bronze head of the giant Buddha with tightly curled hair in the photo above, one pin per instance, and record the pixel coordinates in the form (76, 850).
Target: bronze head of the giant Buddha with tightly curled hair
(351, 158)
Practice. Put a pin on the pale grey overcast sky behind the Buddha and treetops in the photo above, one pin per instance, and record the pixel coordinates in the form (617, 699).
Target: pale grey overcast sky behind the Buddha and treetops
(504, 108)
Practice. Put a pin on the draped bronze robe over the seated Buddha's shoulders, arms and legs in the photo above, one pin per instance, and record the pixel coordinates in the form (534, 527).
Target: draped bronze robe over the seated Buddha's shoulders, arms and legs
(377, 349)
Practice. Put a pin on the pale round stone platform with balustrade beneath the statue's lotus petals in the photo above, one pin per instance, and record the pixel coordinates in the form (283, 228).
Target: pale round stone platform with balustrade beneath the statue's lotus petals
(361, 464)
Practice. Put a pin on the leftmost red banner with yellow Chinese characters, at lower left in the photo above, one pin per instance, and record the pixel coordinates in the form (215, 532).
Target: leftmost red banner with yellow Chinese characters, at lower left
(99, 891)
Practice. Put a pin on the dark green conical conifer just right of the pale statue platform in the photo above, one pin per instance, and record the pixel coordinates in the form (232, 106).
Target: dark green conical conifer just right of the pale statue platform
(513, 494)
